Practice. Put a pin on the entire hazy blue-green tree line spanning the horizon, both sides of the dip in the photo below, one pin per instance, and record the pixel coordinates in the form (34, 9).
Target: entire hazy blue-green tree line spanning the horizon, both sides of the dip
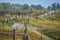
(8, 6)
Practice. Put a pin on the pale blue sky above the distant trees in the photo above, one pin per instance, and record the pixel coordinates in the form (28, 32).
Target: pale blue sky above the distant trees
(44, 3)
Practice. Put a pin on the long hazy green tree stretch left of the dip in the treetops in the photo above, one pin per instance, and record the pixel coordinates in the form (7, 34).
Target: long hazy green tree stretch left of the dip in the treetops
(8, 6)
